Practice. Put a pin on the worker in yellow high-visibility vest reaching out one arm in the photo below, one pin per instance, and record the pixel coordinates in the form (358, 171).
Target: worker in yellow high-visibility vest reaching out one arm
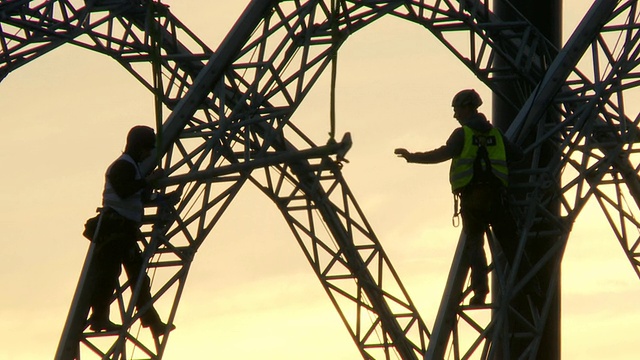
(479, 177)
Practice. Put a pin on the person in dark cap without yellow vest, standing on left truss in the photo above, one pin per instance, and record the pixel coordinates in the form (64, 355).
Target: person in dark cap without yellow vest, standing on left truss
(116, 243)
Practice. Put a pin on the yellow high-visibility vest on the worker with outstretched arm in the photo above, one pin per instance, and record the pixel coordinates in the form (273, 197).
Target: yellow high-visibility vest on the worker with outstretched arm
(461, 171)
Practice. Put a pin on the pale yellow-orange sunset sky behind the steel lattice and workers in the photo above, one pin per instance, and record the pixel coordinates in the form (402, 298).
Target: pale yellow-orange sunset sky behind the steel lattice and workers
(250, 293)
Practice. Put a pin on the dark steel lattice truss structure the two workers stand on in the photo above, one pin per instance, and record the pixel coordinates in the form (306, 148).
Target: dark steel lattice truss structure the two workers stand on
(231, 123)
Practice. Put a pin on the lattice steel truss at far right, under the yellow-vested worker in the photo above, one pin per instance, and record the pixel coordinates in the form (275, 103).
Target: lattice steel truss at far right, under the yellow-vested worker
(596, 152)
